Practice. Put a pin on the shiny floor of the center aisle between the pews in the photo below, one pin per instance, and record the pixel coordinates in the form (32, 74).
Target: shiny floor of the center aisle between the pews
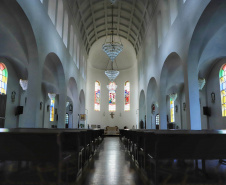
(111, 166)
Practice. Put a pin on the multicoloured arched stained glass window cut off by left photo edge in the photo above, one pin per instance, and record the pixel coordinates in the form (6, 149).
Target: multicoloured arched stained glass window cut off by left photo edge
(3, 78)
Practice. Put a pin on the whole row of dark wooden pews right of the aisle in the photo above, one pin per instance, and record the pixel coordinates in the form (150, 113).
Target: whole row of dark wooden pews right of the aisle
(151, 146)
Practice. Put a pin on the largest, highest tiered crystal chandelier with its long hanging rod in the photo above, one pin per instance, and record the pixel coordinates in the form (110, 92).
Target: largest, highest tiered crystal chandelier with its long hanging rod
(111, 47)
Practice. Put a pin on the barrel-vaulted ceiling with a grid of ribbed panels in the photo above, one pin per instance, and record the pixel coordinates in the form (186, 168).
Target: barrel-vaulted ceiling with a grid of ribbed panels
(130, 19)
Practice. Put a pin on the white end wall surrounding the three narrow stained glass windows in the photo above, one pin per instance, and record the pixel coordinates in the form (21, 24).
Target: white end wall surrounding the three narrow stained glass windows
(103, 118)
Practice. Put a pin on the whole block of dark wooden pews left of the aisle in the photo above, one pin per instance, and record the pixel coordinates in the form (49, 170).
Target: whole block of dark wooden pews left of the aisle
(62, 153)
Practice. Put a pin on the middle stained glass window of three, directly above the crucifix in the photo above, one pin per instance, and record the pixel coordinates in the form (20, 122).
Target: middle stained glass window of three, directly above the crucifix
(112, 96)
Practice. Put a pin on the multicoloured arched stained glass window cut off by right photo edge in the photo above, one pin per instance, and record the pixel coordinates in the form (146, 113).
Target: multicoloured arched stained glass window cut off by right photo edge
(222, 76)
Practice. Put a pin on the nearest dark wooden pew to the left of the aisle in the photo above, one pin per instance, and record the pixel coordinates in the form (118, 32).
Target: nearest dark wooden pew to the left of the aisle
(35, 146)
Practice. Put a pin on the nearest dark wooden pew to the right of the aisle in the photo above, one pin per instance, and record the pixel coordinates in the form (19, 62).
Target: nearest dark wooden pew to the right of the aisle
(190, 144)
